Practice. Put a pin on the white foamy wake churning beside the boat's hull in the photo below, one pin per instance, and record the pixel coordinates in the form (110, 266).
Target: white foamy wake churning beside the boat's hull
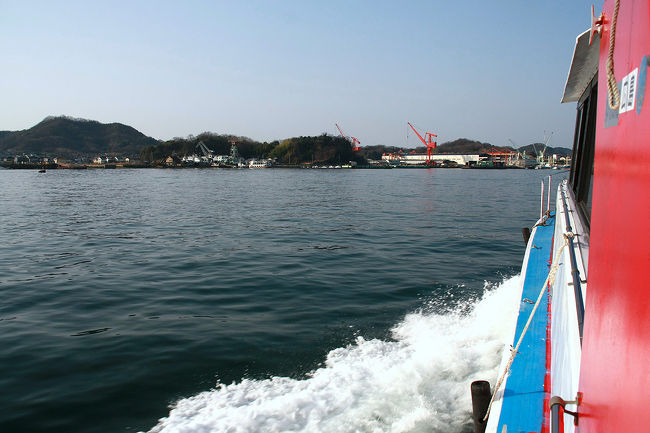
(417, 383)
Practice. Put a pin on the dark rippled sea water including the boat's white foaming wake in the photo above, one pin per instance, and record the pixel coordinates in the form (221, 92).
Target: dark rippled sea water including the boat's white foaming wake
(242, 299)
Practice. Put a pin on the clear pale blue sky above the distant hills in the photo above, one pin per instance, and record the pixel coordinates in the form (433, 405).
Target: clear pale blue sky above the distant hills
(488, 71)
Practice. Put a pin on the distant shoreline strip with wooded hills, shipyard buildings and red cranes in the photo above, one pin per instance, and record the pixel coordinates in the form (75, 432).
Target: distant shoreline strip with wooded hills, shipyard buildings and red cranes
(210, 150)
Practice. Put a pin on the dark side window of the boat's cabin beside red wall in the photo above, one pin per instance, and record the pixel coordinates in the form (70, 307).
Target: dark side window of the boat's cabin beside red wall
(582, 169)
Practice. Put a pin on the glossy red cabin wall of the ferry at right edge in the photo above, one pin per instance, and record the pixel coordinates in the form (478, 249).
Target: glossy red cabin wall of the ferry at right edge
(615, 372)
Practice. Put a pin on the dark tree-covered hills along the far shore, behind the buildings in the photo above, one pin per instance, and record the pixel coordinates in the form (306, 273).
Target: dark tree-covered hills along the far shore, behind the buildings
(83, 141)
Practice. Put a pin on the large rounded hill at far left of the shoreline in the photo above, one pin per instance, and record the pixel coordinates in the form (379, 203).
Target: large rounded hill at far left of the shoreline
(70, 137)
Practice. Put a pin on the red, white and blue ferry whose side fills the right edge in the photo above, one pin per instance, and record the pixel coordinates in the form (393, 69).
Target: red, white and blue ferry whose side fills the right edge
(580, 346)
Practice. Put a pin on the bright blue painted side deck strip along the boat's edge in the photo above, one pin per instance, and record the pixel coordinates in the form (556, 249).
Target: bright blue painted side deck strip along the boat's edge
(523, 398)
